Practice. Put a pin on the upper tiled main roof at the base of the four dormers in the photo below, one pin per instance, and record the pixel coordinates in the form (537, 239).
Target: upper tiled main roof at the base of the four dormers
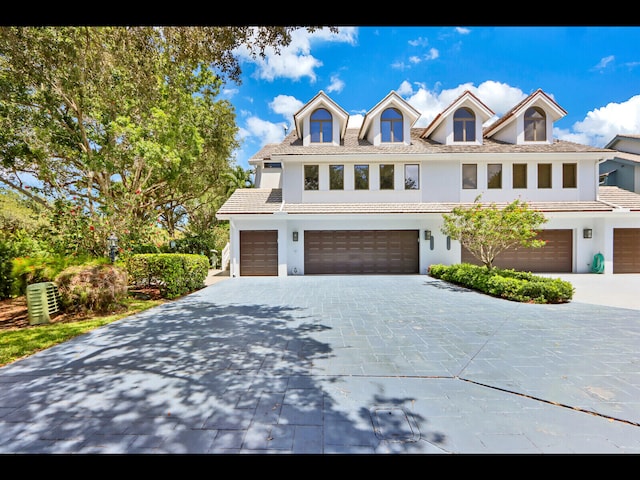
(292, 145)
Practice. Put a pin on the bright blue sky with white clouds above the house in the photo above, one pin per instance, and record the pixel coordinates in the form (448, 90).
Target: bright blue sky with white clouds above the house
(593, 72)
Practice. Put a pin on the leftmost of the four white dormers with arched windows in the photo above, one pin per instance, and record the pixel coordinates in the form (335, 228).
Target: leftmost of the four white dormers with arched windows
(321, 122)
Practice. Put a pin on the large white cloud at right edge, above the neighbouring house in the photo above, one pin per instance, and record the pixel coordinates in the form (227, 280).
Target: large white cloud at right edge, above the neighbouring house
(602, 124)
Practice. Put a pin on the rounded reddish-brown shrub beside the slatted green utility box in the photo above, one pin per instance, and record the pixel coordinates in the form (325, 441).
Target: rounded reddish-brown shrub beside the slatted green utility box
(99, 288)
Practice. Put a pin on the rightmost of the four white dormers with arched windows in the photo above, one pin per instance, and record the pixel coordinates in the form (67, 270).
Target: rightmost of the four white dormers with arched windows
(529, 122)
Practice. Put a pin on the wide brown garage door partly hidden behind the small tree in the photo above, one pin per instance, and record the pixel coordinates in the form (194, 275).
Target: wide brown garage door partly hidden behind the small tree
(555, 257)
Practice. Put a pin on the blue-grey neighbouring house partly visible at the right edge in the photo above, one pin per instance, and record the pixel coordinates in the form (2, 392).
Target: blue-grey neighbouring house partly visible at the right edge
(623, 169)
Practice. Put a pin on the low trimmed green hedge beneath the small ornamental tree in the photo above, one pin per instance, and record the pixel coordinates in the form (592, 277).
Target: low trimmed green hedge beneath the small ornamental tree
(505, 283)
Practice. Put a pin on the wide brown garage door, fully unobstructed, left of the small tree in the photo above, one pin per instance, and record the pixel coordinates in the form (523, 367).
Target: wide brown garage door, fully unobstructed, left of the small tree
(361, 251)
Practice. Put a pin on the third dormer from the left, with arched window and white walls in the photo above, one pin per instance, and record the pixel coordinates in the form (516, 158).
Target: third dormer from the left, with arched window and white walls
(460, 123)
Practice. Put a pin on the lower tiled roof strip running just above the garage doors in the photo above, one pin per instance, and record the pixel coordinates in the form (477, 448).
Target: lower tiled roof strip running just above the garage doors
(266, 201)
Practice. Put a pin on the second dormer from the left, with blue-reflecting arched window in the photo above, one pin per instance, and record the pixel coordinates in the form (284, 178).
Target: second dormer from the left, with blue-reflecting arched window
(389, 122)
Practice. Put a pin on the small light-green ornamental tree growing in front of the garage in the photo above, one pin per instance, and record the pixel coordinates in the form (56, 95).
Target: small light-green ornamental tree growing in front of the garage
(486, 230)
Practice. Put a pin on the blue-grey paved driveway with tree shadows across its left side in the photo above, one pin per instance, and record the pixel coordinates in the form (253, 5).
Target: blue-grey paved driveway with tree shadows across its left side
(335, 365)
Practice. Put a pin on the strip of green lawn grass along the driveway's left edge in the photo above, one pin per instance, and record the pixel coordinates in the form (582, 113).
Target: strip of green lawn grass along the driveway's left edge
(22, 342)
